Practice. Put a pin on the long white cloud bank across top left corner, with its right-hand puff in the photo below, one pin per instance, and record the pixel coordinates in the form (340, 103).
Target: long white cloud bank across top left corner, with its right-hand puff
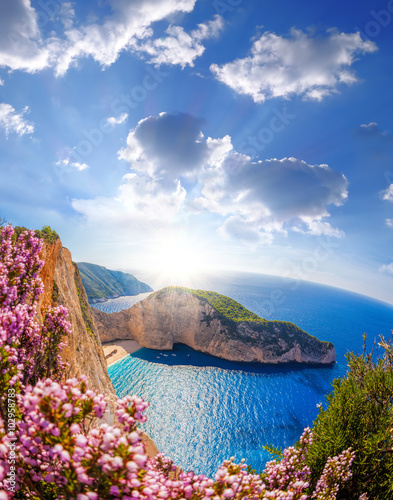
(128, 28)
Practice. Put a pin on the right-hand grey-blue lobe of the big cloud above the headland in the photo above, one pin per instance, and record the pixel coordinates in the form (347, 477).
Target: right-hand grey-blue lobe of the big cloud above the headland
(274, 195)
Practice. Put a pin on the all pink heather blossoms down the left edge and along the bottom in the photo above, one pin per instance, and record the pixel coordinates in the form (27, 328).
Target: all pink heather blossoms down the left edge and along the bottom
(56, 450)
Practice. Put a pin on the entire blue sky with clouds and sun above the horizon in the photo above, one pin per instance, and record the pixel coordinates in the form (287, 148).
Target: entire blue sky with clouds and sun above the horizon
(185, 136)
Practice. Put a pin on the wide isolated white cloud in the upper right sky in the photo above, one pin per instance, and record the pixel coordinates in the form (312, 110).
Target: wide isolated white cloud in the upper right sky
(311, 67)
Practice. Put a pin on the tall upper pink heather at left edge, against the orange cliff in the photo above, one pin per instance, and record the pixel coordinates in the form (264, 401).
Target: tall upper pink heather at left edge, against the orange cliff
(28, 350)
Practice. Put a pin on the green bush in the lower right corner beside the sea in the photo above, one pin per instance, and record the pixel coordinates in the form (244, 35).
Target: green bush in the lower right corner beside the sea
(359, 415)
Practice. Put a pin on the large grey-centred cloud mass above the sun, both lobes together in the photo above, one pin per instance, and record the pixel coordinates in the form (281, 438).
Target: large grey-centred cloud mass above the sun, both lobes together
(177, 171)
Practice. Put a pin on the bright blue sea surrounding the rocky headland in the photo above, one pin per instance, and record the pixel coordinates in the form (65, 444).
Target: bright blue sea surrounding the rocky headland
(204, 410)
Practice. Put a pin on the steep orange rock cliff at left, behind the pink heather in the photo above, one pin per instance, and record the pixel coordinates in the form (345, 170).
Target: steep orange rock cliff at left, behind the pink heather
(63, 286)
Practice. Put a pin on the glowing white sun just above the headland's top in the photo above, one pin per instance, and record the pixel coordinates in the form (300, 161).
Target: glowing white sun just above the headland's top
(179, 259)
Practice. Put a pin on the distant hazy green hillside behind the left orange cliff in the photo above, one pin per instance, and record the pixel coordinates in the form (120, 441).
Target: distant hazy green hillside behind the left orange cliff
(101, 283)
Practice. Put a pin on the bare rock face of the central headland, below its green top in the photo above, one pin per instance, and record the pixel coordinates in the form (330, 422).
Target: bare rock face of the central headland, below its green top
(168, 317)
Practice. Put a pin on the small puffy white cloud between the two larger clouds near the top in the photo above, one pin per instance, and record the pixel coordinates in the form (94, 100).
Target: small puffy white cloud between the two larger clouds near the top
(179, 47)
